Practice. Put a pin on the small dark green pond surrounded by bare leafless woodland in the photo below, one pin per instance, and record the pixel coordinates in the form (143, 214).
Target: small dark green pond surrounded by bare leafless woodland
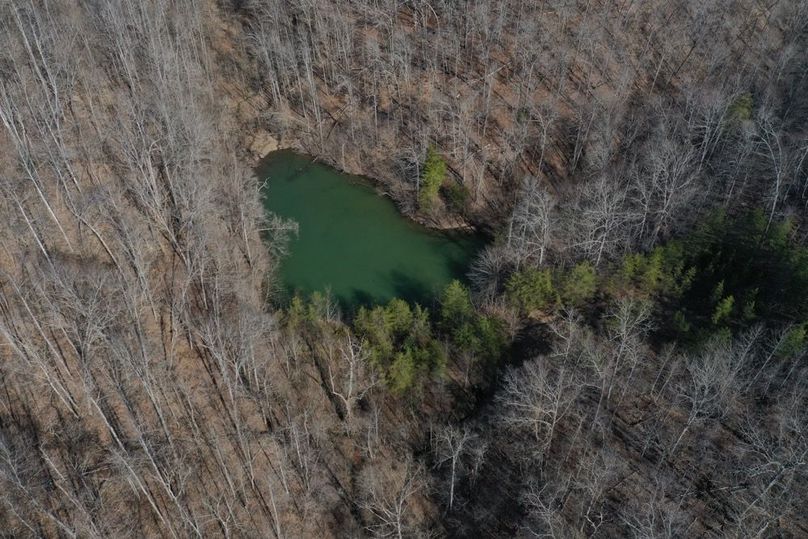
(353, 242)
